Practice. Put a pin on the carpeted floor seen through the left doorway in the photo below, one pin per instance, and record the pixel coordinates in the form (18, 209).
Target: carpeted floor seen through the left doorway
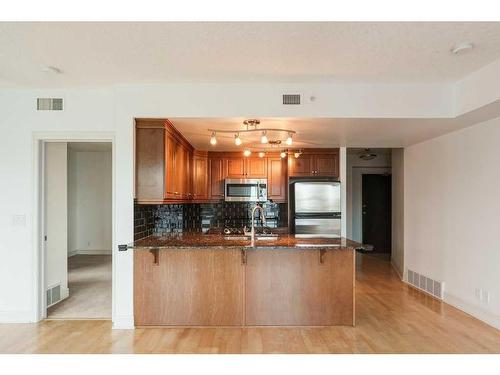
(89, 282)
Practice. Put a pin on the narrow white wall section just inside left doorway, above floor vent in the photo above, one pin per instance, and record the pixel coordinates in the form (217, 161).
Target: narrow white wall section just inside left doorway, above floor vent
(56, 219)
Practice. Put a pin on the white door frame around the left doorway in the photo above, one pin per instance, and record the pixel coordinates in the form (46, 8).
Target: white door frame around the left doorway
(39, 141)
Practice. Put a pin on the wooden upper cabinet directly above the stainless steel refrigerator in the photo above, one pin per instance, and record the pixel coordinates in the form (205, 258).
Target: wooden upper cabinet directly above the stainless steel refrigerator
(315, 163)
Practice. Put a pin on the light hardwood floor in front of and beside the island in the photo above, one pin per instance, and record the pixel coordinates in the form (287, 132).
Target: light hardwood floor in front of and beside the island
(390, 318)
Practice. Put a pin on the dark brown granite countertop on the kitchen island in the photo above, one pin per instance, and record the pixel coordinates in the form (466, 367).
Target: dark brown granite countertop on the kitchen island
(218, 241)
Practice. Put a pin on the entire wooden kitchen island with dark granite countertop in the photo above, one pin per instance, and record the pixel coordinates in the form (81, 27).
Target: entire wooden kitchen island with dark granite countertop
(196, 279)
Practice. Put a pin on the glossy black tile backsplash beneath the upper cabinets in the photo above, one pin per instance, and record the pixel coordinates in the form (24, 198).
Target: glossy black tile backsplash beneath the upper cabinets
(171, 218)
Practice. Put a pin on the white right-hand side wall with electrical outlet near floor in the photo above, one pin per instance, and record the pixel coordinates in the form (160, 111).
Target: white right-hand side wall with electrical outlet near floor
(452, 215)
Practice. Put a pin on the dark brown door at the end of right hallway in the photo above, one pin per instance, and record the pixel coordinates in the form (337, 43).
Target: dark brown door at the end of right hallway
(376, 211)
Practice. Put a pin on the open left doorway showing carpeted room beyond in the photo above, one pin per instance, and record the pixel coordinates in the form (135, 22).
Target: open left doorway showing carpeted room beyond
(77, 230)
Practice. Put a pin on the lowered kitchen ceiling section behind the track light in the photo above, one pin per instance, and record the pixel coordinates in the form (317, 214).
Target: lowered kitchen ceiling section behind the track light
(320, 132)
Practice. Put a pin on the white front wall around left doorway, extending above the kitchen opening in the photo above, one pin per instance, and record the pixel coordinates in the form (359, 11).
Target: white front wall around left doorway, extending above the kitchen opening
(112, 111)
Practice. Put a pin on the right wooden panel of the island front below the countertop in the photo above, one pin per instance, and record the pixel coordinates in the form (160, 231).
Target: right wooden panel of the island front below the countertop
(298, 287)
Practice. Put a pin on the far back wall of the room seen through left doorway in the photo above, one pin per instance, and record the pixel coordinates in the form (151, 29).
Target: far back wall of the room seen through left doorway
(89, 200)
